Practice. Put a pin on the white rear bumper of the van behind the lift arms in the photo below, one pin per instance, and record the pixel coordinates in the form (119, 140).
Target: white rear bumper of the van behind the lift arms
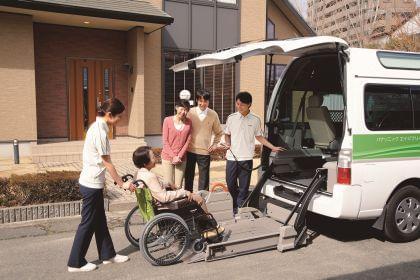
(344, 203)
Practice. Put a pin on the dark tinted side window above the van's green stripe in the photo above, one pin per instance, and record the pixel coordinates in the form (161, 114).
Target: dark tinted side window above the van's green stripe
(388, 108)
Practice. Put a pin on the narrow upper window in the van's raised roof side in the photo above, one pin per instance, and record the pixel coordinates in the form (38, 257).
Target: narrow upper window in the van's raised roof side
(408, 61)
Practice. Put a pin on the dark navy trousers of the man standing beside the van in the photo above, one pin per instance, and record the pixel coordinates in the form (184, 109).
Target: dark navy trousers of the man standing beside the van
(238, 180)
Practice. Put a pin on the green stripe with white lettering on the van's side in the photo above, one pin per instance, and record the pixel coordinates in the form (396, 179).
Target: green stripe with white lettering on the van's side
(377, 146)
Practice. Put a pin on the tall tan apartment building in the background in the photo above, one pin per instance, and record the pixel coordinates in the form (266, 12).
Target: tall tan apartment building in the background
(359, 22)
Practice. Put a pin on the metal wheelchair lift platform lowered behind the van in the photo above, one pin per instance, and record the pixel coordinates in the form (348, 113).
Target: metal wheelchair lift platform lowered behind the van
(283, 228)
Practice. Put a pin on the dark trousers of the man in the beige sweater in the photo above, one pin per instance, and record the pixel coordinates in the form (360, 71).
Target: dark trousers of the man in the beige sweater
(203, 162)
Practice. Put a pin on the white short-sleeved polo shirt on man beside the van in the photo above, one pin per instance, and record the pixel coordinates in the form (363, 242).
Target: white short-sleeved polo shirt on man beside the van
(242, 131)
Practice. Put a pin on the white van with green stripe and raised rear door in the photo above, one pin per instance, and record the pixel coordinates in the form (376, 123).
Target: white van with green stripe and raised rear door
(354, 112)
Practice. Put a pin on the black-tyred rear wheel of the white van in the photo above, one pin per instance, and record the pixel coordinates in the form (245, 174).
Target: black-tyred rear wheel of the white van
(402, 222)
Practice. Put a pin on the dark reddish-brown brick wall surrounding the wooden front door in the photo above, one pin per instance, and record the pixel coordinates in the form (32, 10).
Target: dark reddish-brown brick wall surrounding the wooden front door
(55, 43)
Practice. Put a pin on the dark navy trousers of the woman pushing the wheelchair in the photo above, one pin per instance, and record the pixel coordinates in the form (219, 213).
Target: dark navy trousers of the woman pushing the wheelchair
(93, 221)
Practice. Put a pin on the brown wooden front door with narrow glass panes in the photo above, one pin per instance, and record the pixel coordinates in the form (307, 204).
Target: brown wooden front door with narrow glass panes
(90, 82)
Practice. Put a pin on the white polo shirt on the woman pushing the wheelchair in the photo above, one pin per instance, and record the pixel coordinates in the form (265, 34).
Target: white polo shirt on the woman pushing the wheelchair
(96, 145)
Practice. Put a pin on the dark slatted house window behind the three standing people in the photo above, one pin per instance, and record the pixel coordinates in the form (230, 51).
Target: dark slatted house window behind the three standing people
(219, 80)
